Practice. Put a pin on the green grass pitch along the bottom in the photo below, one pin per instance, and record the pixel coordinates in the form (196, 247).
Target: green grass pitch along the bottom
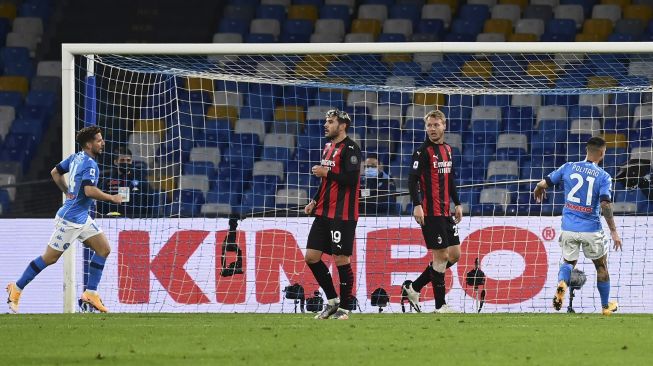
(297, 339)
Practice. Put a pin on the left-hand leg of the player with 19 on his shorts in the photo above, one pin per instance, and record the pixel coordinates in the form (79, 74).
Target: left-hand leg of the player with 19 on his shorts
(319, 241)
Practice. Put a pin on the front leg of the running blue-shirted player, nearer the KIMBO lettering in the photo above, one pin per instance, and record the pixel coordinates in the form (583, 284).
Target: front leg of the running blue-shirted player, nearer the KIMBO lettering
(95, 239)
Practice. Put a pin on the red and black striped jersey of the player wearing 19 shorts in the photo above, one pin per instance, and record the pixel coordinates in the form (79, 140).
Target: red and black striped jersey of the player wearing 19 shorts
(337, 197)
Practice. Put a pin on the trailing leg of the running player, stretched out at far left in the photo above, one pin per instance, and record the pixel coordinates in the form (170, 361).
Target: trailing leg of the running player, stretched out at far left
(62, 236)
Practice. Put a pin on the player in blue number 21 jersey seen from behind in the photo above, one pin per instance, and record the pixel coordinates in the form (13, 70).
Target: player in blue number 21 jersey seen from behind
(587, 194)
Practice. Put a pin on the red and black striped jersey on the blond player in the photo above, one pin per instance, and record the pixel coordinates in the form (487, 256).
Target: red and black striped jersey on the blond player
(435, 183)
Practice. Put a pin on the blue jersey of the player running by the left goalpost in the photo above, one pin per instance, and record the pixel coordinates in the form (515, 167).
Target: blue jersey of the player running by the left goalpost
(83, 171)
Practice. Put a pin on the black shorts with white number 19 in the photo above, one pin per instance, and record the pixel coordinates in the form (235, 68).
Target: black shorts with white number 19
(330, 236)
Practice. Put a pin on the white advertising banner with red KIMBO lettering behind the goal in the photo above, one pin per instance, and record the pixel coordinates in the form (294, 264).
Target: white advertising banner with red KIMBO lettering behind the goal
(177, 265)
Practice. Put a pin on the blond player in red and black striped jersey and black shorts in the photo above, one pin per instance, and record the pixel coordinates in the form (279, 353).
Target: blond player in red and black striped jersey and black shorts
(432, 178)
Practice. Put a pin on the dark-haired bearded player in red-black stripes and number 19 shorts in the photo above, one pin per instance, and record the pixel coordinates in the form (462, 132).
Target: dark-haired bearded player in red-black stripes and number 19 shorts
(335, 207)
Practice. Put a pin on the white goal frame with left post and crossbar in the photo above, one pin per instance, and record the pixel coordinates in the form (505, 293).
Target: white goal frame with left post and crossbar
(70, 50)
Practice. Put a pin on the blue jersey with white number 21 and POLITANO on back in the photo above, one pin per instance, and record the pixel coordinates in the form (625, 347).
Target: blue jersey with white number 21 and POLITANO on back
(586, 185)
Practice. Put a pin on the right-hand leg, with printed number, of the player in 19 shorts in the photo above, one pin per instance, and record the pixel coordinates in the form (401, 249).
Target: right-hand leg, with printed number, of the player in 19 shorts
(342, 245)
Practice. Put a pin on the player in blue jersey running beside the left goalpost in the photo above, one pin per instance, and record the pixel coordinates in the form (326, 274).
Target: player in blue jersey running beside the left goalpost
(73, 221)
